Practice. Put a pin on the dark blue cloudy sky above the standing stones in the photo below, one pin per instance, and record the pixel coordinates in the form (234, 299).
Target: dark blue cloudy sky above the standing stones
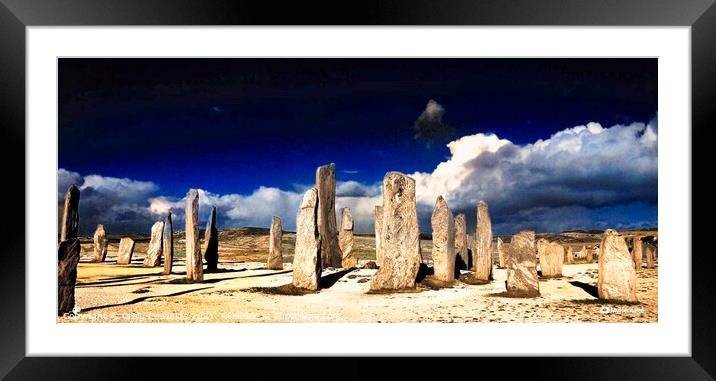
(232, 127)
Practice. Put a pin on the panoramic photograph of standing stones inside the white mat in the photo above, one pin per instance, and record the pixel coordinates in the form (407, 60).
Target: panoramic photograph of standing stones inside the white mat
(357, 190)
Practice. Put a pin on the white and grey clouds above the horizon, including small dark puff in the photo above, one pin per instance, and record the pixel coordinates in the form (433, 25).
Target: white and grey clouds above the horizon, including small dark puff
(586, 177)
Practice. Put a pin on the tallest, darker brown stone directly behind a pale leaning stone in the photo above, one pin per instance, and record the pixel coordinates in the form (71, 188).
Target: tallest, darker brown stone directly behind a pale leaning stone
(326, 185)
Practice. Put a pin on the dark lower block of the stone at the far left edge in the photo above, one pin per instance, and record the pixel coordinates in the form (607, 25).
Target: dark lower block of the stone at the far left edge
(68, 255)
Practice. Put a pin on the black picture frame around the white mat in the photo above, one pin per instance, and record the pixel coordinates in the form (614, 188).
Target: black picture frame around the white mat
(16, 15)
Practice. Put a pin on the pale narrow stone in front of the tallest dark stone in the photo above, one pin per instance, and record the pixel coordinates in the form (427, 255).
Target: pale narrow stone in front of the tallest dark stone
(307, 256)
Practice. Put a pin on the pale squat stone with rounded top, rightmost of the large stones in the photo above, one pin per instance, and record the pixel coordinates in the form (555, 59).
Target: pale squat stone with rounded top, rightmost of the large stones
(617, 276)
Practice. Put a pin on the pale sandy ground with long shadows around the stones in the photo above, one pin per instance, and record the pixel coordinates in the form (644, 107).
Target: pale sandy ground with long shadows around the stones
(107, 292)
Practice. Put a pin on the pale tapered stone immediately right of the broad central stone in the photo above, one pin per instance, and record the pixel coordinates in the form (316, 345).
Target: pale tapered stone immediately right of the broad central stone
(443, 241)
